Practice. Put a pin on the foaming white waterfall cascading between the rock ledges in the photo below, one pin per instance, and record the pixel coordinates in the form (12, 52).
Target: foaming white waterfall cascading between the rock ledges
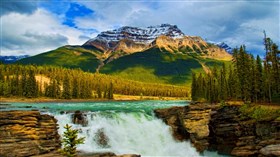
(127, 133)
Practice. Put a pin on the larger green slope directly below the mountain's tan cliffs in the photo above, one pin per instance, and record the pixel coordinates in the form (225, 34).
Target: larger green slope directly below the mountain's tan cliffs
(154, 66)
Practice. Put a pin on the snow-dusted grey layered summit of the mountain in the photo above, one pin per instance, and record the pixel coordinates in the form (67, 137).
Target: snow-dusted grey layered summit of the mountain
(143, 35)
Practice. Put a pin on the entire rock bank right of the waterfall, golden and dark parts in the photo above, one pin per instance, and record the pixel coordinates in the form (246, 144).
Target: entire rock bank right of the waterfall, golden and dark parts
(224, 129)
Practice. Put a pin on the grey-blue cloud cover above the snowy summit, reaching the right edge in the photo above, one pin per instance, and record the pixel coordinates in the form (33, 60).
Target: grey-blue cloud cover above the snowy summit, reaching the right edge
(236, 22)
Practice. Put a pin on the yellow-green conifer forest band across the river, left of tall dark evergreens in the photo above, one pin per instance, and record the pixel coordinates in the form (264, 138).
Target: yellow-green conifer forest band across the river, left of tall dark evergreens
(56, 82)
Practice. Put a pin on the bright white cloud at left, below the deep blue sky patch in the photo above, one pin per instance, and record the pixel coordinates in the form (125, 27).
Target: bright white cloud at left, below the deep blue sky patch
(35, 33)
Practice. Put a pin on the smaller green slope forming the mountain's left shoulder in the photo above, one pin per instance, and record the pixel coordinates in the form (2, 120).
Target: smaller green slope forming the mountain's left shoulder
(67, 56)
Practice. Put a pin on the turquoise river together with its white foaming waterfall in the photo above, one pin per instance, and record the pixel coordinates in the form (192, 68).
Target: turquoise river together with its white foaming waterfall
(122, 127)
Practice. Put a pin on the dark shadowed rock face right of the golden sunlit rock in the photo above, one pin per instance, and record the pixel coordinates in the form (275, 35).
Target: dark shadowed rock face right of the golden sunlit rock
(236, 135)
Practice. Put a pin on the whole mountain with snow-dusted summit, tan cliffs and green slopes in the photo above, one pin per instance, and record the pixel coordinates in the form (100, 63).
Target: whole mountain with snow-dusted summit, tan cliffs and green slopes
(159, 54)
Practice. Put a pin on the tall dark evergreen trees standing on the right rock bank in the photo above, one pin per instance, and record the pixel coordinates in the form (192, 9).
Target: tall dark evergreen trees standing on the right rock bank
(248, 78)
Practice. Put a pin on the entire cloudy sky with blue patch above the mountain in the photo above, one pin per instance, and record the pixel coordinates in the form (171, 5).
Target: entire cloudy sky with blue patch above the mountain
(32, 27)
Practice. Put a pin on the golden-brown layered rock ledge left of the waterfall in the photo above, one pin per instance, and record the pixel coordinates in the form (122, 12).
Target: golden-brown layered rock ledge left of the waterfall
(26, 133)
